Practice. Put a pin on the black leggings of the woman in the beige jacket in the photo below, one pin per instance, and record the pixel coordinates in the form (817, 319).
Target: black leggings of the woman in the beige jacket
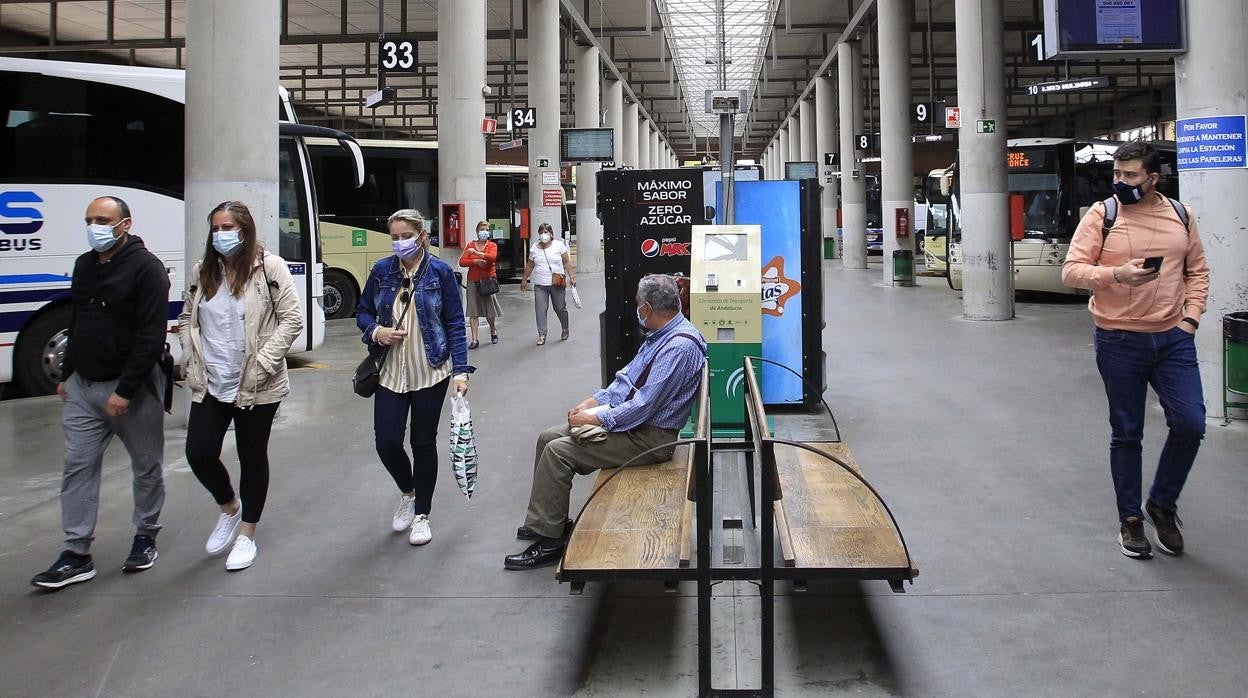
(207, 431)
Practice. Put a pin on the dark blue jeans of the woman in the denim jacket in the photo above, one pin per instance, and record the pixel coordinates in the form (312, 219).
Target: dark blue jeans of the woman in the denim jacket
(391, 410)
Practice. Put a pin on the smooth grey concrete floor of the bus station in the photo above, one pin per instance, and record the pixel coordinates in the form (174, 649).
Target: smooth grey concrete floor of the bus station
(988, 440)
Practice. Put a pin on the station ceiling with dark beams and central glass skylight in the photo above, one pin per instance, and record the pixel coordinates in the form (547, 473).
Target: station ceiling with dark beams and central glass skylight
(666, 52)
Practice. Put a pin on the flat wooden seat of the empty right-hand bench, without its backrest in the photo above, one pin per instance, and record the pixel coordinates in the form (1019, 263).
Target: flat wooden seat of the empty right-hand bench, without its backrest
(833, 521)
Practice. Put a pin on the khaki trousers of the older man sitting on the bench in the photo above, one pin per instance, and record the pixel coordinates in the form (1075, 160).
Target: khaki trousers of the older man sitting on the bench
(560, 458)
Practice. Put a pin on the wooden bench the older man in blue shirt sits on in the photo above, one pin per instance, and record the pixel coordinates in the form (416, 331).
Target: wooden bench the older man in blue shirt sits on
(638, 523)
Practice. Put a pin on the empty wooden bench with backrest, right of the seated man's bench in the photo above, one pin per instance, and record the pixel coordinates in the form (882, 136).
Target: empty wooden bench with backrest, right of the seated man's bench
(831, 524)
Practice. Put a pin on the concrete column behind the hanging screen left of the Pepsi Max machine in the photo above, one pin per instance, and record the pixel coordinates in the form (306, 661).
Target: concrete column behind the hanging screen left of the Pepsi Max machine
(590, 230)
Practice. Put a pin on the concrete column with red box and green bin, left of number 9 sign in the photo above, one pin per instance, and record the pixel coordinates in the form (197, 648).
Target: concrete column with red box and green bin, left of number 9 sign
(897, 148)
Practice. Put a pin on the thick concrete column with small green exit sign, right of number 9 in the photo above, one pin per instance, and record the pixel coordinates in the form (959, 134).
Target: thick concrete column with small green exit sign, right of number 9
(988, 269)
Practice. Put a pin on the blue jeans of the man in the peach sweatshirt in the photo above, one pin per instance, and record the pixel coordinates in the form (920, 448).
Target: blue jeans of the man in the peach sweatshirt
(1130, 363)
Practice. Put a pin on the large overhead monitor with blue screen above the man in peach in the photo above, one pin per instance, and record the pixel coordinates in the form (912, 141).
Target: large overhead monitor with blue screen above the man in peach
(1115, 28)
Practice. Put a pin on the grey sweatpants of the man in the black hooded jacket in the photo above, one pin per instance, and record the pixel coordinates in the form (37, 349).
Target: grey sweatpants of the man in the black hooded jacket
(88, 433)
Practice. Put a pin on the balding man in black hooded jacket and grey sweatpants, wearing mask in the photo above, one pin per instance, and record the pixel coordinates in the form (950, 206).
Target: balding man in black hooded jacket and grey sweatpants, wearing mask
(112, 383)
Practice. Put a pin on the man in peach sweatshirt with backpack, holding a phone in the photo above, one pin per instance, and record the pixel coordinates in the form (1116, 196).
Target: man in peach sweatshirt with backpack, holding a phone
(1146, 317)
